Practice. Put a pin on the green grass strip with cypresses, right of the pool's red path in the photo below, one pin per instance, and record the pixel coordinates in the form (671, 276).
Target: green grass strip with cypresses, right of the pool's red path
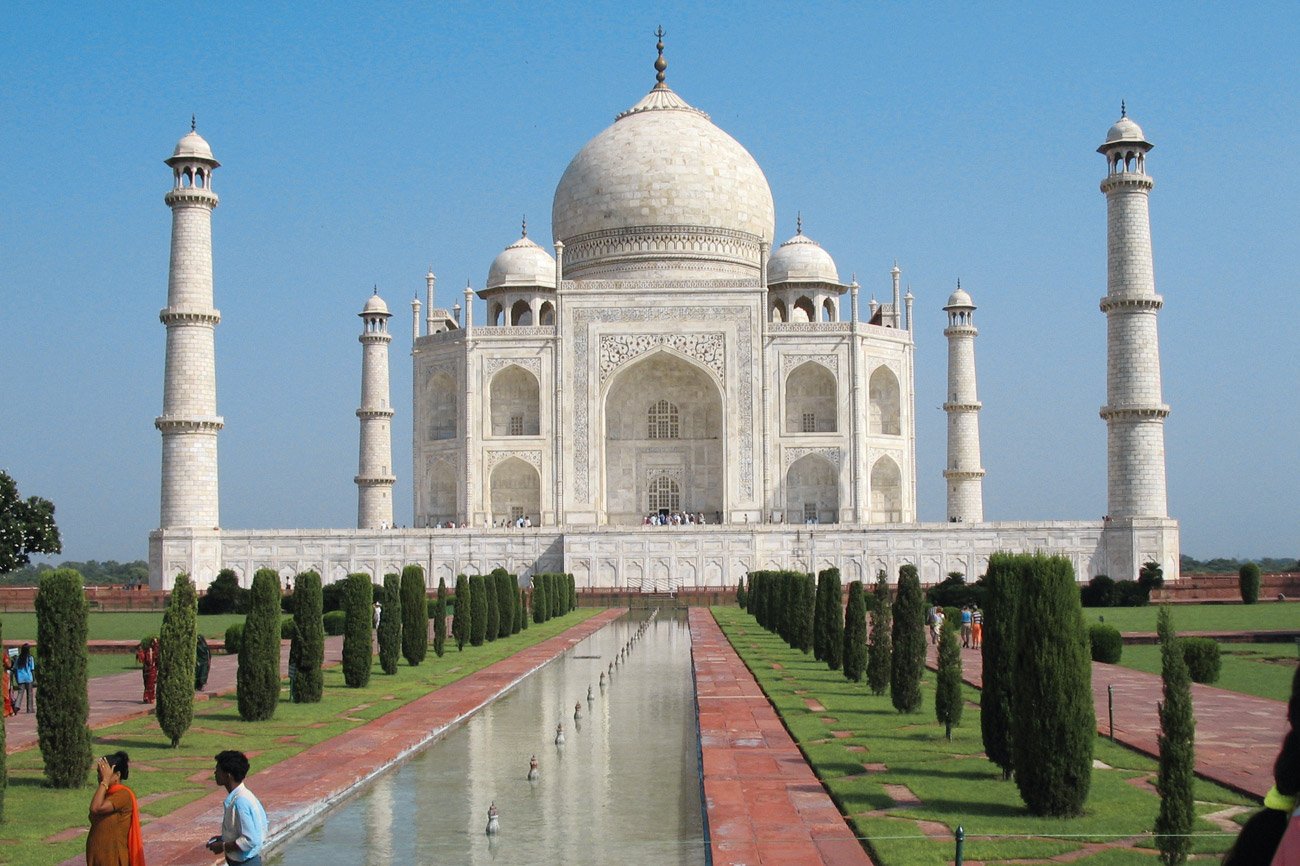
(955, 783)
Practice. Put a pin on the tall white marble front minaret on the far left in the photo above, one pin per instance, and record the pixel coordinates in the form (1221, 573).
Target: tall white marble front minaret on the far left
(189, 422)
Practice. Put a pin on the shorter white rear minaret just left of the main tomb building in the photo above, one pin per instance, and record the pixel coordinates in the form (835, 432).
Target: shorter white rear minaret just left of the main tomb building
(375, 477)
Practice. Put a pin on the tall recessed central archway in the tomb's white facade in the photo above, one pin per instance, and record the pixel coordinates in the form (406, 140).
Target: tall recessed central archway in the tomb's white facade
(664, 431)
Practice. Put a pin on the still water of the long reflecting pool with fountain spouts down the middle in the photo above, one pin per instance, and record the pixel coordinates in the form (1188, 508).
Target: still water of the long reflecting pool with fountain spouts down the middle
(625, 787)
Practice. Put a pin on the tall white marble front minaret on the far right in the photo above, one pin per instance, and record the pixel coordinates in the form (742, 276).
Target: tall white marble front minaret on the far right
(1134, 412)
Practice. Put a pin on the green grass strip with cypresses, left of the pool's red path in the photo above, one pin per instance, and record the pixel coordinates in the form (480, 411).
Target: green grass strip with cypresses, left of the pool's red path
(177, 777)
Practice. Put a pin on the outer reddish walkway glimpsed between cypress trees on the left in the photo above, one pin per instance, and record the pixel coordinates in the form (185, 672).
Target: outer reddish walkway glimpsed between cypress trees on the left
(118, 698)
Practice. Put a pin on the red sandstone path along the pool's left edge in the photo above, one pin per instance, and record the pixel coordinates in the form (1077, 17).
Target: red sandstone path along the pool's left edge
(297, 791)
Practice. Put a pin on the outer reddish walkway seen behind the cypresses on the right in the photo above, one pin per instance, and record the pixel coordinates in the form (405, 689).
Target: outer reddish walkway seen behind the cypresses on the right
(1237, 735)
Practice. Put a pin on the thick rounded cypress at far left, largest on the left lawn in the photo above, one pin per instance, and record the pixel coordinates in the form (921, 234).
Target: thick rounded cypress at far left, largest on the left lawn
(64, 705)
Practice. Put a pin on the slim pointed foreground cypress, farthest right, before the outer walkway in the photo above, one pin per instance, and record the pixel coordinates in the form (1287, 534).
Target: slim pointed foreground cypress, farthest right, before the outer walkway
(1176, 780)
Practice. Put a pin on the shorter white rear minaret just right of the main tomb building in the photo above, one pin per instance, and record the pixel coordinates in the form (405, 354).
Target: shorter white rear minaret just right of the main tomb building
(964, 473)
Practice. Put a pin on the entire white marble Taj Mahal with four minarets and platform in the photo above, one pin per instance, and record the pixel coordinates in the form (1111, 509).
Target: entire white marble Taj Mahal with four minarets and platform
(668, 358)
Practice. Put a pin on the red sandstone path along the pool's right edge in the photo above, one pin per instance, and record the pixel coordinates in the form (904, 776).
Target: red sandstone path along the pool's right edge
(764, 802)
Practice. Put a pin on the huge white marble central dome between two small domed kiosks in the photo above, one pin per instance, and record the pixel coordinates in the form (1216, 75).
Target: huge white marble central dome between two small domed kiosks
(661, 194)
